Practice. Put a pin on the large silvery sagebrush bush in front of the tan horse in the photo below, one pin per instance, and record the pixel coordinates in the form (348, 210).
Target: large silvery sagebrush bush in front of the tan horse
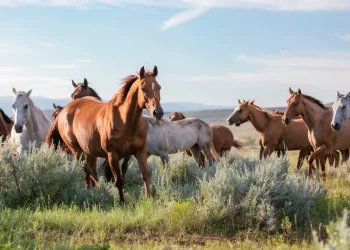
(253, 194)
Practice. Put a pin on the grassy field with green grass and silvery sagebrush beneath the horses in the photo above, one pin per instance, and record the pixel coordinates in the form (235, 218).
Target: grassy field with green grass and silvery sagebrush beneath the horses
(240, 203)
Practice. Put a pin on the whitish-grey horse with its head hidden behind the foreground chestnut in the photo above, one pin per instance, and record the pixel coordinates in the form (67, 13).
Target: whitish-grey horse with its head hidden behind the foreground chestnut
(169, 137)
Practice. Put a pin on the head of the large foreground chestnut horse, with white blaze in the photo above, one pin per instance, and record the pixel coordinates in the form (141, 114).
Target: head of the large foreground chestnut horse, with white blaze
(149, 94)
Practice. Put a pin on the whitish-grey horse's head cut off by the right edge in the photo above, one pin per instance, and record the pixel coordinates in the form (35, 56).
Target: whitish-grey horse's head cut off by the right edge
(341, 110)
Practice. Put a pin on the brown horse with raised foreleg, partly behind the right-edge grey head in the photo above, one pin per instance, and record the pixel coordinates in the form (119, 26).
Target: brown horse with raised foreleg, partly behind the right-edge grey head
(317, 118)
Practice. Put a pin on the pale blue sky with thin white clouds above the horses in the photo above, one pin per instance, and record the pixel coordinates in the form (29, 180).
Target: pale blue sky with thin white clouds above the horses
(207, 51)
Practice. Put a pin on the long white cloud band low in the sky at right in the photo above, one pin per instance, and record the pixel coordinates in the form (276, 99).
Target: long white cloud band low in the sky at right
(287, 70)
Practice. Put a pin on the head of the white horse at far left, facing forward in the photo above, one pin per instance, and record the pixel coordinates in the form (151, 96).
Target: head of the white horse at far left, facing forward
(21, 108)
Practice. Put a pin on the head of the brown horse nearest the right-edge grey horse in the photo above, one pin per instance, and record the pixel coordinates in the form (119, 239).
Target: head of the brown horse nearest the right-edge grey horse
(294, 106)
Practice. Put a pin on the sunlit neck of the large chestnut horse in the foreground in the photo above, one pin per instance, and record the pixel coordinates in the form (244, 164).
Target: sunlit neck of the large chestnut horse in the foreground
(129, 110)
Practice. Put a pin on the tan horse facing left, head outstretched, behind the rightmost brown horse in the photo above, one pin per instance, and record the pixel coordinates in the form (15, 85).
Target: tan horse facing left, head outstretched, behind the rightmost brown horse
(274, 136)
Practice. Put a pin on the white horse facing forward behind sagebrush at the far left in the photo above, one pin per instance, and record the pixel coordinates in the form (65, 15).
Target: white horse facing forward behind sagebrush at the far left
(31, 125)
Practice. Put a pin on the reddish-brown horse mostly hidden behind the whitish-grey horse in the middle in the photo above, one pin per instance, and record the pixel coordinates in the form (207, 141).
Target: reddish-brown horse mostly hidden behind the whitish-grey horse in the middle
(223, 138)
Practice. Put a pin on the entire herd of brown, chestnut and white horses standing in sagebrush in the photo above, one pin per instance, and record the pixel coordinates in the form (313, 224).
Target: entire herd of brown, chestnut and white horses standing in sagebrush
(89, 128)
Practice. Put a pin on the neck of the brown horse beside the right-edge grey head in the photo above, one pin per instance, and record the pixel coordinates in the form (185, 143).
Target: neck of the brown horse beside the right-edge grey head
(312, 113)
